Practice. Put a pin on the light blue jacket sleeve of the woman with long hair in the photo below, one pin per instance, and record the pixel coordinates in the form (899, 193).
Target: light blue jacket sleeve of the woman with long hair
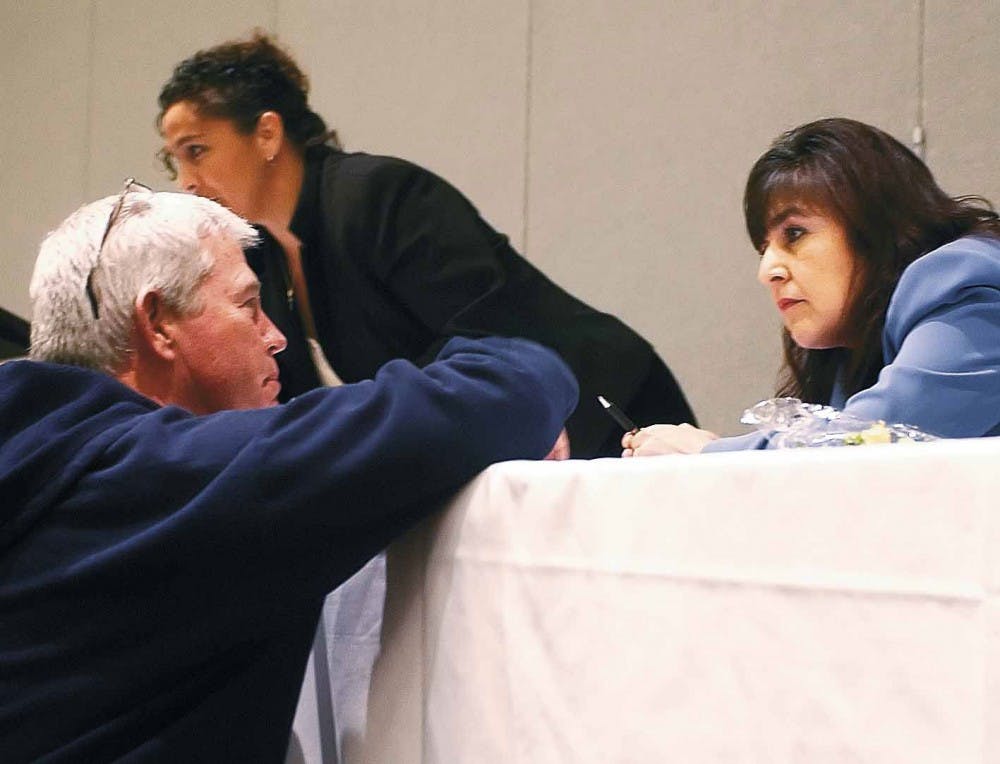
(942, 345)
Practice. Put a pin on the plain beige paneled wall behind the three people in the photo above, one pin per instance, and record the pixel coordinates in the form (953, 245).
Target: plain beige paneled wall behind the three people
(609, 140)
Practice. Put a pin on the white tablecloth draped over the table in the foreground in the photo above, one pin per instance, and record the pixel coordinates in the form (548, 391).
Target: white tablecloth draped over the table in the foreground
(820, 605)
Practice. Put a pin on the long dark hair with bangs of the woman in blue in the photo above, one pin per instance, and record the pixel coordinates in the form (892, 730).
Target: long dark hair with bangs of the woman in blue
(893, 212)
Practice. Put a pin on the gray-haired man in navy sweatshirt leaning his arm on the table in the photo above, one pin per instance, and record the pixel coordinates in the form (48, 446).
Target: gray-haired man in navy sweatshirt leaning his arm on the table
(163, 558)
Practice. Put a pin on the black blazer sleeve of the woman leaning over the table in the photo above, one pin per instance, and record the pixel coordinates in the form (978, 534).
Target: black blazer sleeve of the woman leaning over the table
(455, 273)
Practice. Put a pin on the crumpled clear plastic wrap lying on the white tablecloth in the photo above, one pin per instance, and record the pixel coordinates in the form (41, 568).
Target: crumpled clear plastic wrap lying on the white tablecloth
(790, 423)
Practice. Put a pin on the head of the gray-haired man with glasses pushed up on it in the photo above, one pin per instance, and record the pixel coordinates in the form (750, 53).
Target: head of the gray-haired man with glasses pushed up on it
(173, 265)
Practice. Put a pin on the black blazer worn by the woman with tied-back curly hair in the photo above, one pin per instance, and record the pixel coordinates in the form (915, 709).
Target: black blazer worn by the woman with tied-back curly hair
(397, 261)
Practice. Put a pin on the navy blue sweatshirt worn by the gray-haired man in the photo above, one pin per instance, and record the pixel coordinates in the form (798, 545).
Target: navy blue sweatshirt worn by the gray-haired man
(161, 574)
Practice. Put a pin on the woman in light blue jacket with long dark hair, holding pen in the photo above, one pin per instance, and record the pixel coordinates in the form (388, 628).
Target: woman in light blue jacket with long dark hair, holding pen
(889, 289)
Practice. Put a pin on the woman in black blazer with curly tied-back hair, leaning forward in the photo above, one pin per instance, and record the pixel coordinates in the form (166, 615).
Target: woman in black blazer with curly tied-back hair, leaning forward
(368, 258)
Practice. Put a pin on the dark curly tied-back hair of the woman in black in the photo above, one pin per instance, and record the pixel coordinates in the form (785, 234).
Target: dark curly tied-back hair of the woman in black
(241, 79)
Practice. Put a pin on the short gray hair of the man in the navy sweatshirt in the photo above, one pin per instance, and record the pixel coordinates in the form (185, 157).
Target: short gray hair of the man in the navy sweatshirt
(160, 241)
